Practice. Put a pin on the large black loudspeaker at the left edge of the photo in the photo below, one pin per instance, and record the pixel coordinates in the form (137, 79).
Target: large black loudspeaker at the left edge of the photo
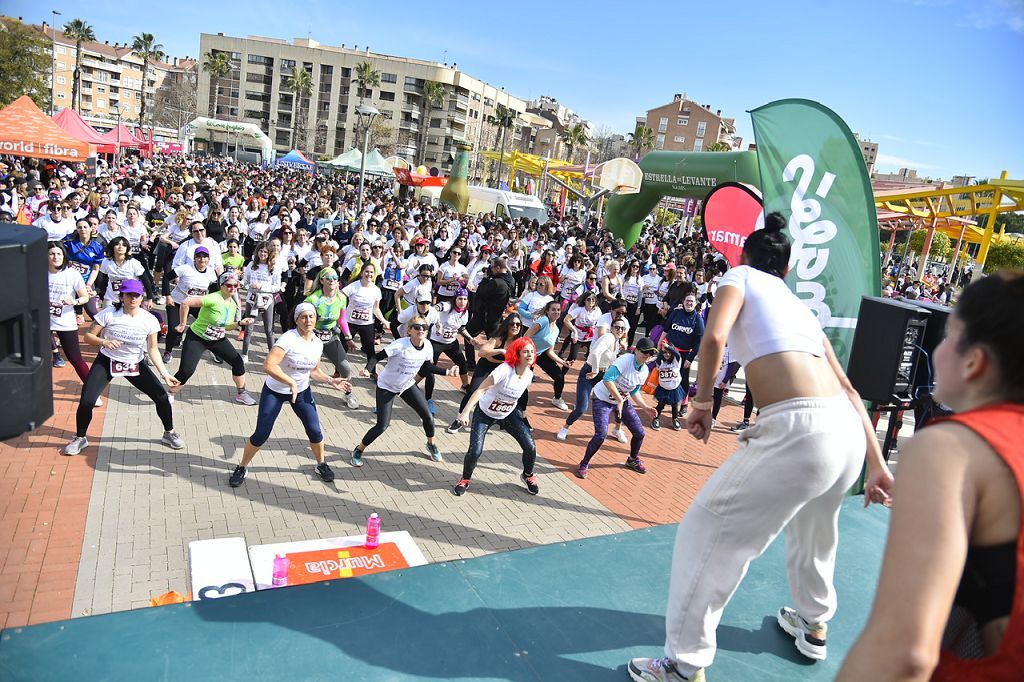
(26, 375)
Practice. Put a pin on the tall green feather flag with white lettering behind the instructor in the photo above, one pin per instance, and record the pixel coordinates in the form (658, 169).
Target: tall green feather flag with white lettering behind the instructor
(813, 172)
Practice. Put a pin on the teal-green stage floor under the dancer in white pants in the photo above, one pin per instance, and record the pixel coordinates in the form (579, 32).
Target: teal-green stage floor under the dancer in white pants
(569, 612)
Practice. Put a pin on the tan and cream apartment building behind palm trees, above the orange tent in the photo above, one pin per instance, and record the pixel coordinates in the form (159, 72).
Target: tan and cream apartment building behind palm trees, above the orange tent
(112, 81)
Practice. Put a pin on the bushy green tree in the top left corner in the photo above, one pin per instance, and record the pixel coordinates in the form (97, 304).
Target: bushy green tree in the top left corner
(26, 60)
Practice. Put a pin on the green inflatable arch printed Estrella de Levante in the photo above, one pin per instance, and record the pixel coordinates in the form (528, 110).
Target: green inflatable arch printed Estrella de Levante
(681, 175)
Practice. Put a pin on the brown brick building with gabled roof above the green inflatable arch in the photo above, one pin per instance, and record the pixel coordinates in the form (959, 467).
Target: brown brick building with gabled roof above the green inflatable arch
(684, 125)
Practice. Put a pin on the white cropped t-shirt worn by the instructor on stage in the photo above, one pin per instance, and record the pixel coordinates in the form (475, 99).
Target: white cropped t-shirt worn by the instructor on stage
(773, 319)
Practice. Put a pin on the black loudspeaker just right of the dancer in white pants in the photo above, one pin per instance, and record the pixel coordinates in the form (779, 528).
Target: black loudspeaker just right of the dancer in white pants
(884, 357)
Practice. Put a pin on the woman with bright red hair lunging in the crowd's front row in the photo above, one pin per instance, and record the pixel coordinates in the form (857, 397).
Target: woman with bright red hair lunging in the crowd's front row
(496, 401)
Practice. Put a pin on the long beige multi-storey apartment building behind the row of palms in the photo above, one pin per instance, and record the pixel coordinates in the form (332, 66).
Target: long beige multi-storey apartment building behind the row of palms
(257, 92)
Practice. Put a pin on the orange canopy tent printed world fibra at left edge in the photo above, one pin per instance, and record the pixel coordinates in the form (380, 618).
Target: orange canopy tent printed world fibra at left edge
(26, 132)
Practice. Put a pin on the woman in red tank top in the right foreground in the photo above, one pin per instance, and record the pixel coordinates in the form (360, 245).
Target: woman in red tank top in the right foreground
(958, 503)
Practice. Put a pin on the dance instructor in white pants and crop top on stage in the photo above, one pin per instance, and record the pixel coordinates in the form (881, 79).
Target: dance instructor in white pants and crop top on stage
(792, 472)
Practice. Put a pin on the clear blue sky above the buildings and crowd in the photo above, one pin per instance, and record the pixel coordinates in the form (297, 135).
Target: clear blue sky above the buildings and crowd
(937, 83)
